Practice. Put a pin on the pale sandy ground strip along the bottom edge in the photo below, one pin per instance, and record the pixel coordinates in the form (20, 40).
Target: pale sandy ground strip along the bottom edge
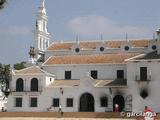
(21, 118)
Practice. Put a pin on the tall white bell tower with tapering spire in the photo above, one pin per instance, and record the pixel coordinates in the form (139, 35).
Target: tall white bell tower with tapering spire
(41, 35)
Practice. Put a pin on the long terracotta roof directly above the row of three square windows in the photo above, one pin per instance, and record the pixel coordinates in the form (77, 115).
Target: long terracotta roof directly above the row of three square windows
(89, 59)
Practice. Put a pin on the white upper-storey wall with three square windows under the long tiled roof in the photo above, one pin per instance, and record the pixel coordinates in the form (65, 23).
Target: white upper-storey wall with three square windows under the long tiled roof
(105, 71)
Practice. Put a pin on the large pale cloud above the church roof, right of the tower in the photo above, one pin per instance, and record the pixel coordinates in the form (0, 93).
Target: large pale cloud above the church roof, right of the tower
(93, 25)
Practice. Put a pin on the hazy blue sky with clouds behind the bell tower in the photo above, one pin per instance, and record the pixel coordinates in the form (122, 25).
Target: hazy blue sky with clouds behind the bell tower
(87, 19)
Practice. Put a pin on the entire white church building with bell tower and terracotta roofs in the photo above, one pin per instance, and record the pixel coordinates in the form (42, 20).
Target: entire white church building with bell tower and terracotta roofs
(87, 76)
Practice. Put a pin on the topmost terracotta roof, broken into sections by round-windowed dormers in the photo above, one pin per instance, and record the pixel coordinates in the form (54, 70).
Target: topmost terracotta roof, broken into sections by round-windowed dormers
(93, 44)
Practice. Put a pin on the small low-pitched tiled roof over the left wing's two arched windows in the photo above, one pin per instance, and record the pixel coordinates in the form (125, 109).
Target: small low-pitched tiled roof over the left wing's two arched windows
(31, 70)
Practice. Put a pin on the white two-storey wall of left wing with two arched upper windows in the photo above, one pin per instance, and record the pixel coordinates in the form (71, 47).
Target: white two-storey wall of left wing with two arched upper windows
(43, 82)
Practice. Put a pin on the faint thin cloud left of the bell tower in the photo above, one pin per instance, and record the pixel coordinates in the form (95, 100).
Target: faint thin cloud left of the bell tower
(15, 30)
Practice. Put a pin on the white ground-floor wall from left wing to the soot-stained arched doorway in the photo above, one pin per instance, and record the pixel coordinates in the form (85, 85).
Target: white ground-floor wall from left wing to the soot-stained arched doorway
(45, 97)
